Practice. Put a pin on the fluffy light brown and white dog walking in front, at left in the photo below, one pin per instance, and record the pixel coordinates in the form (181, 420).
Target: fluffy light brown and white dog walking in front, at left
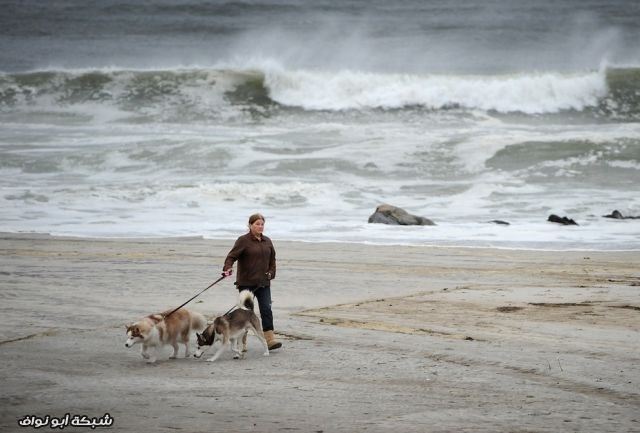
(155, 331)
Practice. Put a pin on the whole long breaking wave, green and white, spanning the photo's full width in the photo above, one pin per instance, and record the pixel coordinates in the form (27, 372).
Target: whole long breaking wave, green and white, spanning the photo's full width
(205, 93)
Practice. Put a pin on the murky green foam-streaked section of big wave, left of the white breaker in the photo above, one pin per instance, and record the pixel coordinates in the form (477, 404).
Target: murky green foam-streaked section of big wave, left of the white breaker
(153, 95)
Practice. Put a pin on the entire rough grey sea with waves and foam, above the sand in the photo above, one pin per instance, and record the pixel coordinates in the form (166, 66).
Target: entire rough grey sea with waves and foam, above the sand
(182, 118)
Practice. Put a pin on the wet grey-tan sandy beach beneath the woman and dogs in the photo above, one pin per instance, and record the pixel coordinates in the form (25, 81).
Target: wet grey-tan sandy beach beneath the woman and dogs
(376, 339)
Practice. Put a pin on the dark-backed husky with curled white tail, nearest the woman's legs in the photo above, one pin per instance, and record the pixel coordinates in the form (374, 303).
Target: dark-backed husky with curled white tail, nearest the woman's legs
(231, 327)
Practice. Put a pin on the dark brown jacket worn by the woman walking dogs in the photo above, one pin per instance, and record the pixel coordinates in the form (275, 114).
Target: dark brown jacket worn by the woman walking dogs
(256, 261)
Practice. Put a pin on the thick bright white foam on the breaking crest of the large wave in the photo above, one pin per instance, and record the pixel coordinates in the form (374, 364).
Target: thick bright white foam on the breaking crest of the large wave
(526, 93)
